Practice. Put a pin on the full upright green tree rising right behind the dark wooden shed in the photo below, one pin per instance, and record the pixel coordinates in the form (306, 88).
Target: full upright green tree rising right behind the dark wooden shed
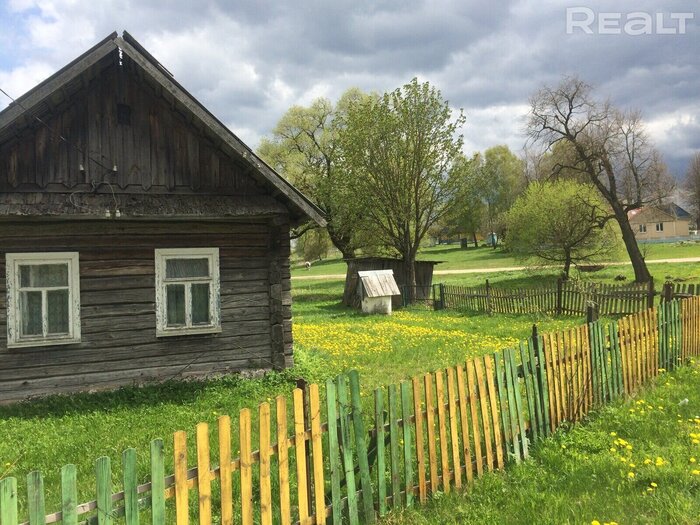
(402, 146)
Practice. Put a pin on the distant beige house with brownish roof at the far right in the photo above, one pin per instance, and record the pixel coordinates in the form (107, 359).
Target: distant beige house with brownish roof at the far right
(660, 223)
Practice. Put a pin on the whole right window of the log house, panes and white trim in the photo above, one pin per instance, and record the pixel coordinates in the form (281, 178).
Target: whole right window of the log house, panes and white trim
(187, 291)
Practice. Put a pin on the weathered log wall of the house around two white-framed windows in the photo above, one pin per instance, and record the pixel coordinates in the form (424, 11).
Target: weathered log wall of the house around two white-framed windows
(119, 345)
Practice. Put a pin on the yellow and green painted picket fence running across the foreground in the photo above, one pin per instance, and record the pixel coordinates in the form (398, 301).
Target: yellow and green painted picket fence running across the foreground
(342, 458)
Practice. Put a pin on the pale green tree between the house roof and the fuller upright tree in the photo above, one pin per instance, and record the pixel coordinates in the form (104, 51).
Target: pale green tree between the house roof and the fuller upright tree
(305, 148)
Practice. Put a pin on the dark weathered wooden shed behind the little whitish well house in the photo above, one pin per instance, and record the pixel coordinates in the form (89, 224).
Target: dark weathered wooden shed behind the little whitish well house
(424, 277)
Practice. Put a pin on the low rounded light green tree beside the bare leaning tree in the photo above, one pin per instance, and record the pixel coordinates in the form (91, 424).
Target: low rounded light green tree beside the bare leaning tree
(560, 221)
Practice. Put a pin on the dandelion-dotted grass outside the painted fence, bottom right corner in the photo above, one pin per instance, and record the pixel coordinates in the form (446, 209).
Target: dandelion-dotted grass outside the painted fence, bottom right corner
(633, 462)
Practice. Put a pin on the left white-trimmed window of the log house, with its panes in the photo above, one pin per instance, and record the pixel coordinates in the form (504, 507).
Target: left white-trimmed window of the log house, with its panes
(43, 299)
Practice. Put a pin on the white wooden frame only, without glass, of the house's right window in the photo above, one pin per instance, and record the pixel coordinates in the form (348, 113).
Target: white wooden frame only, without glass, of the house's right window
(161, 256)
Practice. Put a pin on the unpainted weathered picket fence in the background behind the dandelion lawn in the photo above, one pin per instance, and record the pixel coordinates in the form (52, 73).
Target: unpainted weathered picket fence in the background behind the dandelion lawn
(560, 298)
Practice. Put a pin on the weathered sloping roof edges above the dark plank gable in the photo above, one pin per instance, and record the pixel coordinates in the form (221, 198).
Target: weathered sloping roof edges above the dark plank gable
(36, 101)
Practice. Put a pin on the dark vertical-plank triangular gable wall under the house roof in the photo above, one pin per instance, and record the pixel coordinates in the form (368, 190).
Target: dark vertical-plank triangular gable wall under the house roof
(156, 149)
